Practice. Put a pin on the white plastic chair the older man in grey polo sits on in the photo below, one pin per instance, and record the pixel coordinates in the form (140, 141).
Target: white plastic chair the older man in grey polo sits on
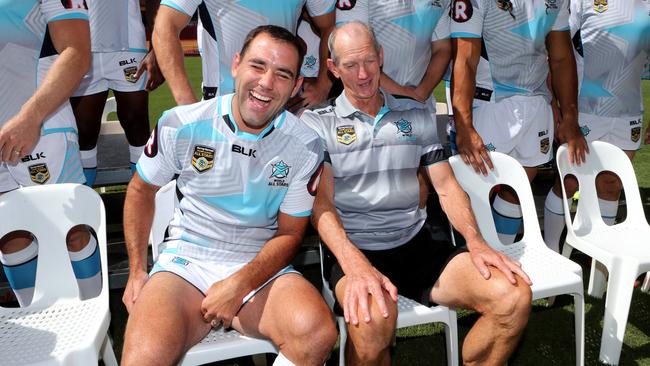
(409, 313)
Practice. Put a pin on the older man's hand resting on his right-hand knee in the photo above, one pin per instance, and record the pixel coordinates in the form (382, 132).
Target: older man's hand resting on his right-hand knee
(483, 256)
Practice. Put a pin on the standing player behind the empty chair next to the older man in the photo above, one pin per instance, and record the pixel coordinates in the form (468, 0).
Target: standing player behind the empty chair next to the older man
(524, 41)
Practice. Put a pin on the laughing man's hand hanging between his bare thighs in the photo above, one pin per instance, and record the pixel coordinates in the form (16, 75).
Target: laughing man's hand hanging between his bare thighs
(222, 302)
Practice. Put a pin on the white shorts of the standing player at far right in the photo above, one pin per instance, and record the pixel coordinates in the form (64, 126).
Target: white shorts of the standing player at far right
(624, 132)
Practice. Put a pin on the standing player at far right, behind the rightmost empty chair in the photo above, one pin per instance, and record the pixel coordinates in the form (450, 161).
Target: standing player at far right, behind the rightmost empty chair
(612, 43)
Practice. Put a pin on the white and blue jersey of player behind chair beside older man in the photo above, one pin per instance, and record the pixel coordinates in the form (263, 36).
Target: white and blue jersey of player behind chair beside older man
(514, 40)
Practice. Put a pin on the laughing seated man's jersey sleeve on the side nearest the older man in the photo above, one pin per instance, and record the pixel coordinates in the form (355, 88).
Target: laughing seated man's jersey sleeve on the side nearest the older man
(299, 199)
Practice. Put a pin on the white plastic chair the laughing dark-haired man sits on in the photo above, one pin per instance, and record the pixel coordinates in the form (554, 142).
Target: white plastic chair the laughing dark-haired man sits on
(218, 345)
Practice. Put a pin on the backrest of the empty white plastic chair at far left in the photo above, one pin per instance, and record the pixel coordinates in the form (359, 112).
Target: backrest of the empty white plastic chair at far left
(49, 212)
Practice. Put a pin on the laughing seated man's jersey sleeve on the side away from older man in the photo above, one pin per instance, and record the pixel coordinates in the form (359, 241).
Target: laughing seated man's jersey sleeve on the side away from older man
(158, 163)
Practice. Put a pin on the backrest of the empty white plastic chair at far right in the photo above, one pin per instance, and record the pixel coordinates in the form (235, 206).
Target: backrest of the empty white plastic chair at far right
(602, 157)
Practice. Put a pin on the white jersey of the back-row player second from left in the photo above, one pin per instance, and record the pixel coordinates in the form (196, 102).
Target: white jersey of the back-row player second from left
(116, 25)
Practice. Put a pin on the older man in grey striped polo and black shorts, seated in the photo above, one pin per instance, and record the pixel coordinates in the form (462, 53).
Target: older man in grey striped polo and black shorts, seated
(367, 214)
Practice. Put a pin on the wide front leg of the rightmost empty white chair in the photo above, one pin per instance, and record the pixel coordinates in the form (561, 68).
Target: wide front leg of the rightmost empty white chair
(617, 307)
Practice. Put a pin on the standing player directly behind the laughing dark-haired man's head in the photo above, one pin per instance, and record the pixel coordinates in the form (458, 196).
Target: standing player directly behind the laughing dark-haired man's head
(225, 24)
